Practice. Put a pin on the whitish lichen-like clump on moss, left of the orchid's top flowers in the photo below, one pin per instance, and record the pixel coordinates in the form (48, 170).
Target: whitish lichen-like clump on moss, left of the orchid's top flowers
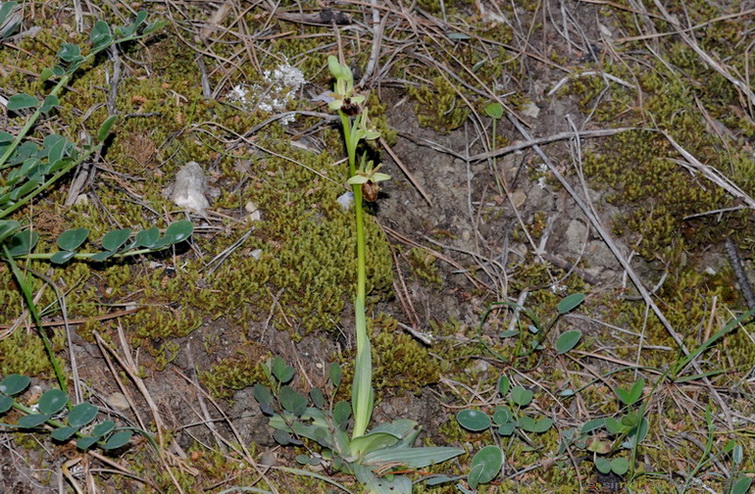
(280, 86)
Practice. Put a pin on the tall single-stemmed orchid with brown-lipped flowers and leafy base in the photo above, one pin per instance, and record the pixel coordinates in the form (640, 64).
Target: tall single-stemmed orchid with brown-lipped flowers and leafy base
(377, 457)
